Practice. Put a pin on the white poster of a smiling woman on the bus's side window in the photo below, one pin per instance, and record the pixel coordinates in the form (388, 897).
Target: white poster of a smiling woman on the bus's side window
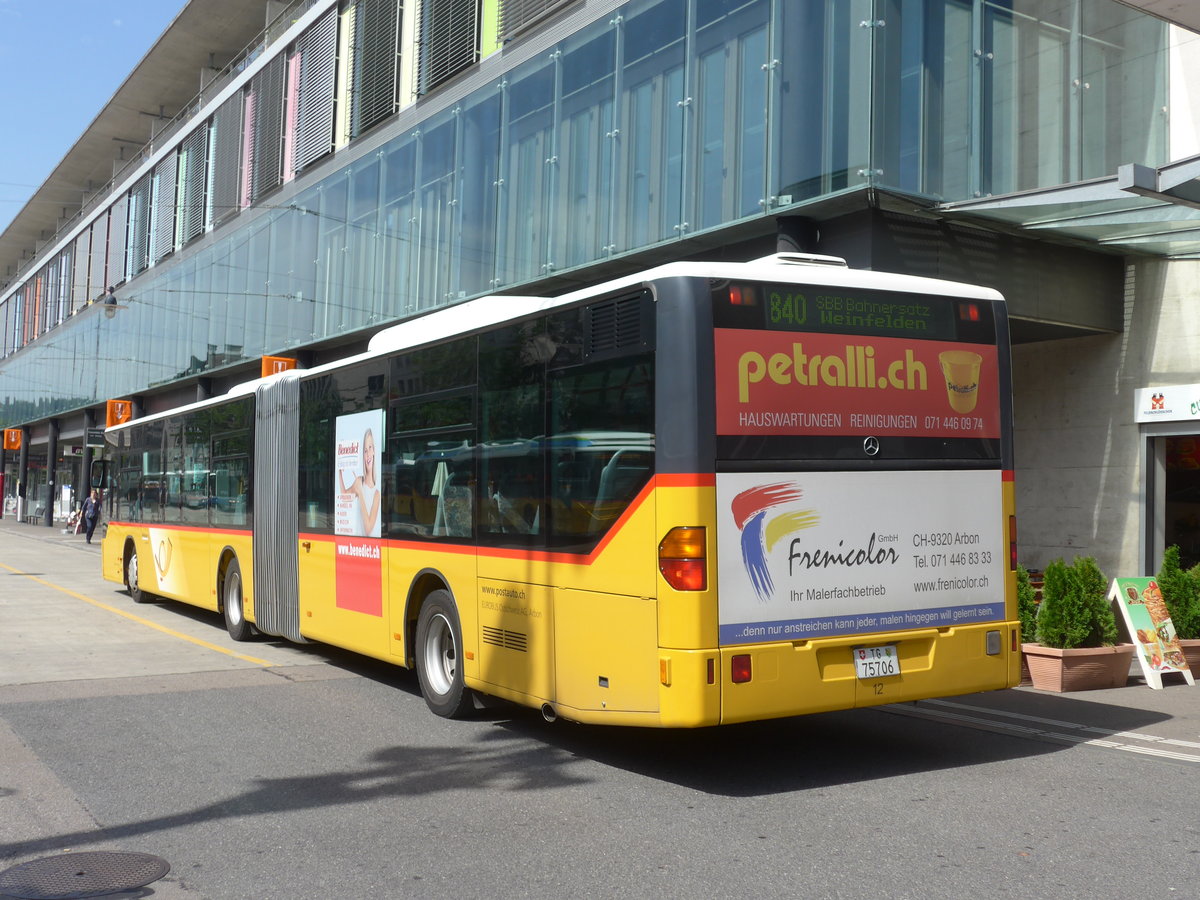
(357, 508)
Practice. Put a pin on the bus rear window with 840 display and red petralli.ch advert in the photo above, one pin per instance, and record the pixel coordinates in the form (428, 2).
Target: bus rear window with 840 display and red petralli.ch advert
(818, 374)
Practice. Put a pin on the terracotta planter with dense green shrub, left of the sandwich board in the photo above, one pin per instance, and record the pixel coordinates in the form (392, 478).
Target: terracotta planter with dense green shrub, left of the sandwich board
(1077, 632)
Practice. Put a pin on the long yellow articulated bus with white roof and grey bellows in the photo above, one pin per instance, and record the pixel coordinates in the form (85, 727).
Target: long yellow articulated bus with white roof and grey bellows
(703, 495)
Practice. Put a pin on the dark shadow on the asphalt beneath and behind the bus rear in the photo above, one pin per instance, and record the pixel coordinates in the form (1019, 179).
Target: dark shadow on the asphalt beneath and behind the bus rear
(830, 749)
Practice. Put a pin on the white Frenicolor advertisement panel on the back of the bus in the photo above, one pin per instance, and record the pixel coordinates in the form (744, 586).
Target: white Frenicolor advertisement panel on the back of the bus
(821, 555)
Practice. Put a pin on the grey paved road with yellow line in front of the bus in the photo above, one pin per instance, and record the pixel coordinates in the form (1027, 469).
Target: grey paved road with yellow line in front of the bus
(269, 771)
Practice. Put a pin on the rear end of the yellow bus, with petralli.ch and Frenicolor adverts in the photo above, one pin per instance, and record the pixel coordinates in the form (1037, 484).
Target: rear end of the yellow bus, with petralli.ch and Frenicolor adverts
(865, 495)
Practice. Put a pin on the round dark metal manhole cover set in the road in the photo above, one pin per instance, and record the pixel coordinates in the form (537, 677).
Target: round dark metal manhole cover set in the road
(75, 875)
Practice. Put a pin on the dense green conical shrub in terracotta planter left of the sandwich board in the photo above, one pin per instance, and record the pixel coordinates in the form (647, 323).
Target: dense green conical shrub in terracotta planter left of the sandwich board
(1076, 610)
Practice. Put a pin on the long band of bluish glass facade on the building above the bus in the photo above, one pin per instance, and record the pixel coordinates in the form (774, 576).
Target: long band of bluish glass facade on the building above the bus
(662, 121)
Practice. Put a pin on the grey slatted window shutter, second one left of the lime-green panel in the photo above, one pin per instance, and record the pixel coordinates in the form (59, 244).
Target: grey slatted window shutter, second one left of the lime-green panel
(375, 63)
